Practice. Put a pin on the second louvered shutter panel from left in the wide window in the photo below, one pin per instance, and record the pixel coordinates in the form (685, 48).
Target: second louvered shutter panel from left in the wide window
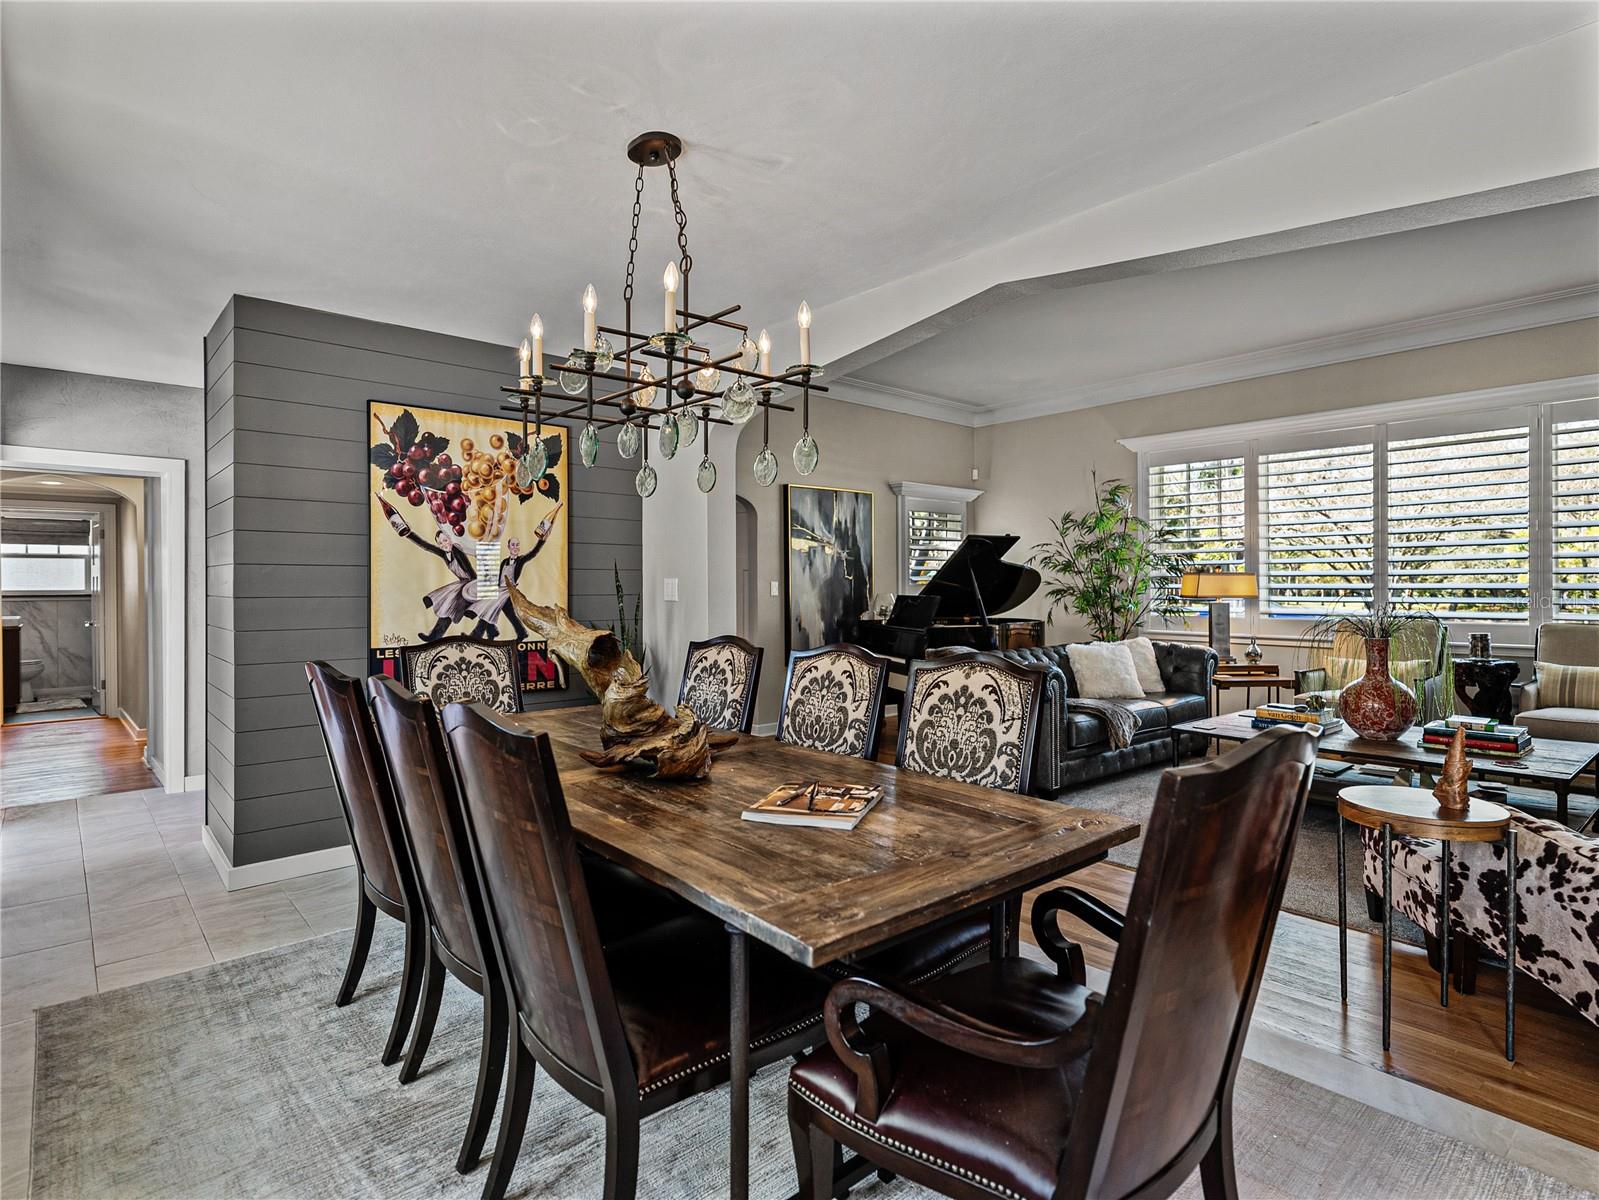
(1318, 530)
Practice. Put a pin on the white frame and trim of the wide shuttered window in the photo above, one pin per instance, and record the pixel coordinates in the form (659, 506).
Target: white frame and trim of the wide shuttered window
(1534, 406)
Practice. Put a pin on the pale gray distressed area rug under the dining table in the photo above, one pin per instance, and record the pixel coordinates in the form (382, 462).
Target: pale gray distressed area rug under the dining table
(244, 1081)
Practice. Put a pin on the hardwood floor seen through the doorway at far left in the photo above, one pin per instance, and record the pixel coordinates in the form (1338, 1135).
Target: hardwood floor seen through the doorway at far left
(71, 759)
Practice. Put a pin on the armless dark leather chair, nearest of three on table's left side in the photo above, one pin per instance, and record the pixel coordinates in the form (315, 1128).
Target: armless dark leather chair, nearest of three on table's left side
(631, 1028)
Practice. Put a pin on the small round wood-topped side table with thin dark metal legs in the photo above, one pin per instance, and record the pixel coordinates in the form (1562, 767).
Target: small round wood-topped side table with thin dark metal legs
(1416, 814)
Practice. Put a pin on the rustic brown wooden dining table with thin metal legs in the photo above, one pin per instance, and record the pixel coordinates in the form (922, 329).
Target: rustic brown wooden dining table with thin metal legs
(931, 849)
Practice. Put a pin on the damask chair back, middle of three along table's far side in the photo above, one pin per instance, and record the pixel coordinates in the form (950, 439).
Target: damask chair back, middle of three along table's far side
(834, 700)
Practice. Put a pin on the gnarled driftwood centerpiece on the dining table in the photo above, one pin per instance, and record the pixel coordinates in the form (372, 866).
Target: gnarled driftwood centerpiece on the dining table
(636, 732)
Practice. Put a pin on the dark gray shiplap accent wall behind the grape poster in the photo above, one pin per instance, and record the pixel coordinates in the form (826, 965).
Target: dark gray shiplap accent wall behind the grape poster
(287, 543)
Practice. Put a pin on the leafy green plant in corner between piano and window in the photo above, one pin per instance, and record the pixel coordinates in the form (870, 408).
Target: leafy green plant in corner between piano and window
(1107, 566)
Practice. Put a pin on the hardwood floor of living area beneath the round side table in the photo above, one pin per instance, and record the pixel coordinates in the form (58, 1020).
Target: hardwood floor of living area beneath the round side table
(1457, 1052)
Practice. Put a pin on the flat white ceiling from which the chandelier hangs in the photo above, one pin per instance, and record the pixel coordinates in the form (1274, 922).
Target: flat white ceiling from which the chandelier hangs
(458, 166)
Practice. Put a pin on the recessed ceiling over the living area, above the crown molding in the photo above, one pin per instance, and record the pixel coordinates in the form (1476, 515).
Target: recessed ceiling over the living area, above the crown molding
(1111, 342)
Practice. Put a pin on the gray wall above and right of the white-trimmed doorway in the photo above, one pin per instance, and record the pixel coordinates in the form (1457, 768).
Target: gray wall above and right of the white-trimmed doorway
(66, 410)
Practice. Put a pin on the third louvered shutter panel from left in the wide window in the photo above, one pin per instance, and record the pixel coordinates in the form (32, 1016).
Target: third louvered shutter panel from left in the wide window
(1459, 522)
